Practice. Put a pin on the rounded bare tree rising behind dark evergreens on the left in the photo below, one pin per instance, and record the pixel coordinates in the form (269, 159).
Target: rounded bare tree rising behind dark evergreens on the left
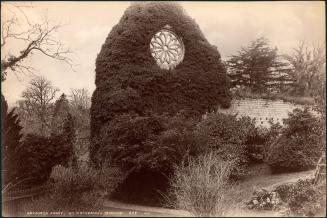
(37, 101)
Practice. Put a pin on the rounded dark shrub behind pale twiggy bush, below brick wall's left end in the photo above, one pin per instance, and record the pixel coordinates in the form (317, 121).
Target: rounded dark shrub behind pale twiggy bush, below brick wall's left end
(227, 135)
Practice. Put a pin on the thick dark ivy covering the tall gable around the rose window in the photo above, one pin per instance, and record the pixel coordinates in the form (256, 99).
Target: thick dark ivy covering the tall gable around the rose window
(128, 80)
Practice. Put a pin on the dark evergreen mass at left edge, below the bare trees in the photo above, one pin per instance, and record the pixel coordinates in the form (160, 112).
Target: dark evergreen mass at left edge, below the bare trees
(30, 161)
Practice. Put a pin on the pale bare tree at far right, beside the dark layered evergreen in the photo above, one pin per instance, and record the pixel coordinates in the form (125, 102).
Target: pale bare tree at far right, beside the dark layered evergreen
(308, 64)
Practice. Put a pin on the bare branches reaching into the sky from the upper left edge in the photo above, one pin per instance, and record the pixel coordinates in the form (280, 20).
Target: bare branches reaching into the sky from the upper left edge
(34, 37)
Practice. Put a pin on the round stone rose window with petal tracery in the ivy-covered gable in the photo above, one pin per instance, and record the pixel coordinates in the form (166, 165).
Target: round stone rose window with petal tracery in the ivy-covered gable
(167, 49)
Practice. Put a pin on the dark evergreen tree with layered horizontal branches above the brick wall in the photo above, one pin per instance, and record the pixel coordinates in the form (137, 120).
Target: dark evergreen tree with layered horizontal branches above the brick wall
(257, 67)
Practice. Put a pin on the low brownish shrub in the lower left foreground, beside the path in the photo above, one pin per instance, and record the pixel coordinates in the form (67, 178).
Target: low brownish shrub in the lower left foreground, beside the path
(72, 190)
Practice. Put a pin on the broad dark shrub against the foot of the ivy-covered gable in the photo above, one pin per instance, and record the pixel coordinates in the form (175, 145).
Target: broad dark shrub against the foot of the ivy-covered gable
(154, 142)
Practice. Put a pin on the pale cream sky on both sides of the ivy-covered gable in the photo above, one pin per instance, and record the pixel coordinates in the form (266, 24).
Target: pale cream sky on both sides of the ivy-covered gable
(228, 25)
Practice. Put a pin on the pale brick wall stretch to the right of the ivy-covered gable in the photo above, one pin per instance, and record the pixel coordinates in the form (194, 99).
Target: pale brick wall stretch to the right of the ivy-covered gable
(261, 109)
